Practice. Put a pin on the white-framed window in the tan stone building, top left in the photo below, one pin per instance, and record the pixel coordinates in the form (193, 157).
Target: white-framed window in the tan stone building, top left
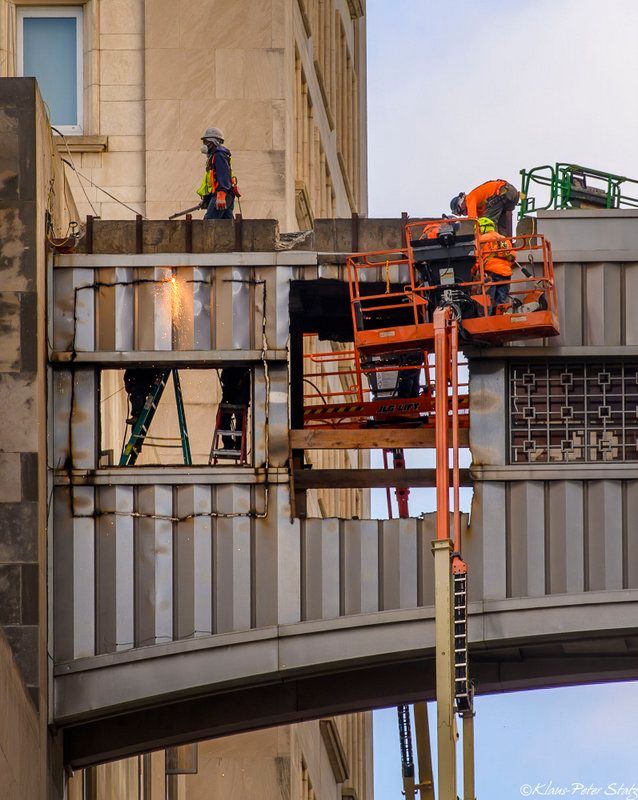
(50, 49)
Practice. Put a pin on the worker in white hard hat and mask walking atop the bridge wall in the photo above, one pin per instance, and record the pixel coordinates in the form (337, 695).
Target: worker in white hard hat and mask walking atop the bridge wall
(218, 189)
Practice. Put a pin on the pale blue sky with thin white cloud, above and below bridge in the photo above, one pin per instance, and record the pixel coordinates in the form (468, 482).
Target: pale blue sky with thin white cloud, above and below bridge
(458, 93)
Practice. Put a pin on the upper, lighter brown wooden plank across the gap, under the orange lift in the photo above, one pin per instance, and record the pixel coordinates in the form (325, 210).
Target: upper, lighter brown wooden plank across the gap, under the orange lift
(367, 439)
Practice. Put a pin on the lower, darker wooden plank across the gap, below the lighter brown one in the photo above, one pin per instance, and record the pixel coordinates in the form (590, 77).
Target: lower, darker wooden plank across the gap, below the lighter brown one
(370, 478)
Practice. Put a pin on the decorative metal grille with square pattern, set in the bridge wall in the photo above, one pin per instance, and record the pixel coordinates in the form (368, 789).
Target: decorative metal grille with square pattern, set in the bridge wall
(573, 412)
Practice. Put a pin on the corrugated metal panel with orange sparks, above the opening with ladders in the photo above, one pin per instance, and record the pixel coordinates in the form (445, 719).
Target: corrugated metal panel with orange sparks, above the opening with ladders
(165, 308)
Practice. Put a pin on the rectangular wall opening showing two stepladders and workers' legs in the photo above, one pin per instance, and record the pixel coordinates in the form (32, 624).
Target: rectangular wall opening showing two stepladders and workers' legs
(154, 416)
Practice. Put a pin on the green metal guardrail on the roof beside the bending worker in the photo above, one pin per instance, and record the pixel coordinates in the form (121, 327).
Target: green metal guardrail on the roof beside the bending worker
(573, 186)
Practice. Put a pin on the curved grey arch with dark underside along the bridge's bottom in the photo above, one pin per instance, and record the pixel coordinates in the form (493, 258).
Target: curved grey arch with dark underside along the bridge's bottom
(510, 641)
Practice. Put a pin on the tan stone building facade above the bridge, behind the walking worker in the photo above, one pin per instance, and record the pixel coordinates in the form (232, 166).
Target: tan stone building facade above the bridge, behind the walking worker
(284, 79)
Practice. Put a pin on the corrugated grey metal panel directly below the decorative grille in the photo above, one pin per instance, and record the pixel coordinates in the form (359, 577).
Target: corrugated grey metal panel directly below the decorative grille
(548, 537)
